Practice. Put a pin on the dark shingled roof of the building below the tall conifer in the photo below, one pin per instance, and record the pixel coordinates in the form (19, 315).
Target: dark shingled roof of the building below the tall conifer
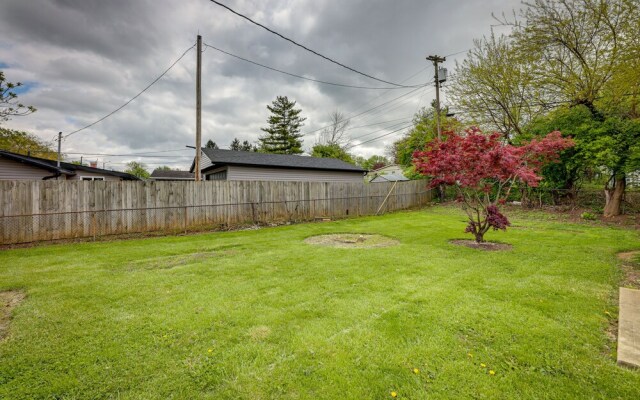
(220, 157)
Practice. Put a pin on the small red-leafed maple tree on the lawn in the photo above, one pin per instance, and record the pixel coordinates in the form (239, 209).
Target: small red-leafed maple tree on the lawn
(483, 170)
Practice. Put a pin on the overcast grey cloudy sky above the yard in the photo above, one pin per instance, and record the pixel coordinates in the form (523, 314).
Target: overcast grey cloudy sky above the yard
(81, 59)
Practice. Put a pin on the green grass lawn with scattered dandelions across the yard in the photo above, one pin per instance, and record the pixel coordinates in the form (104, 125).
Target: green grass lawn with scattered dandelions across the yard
(262, 315)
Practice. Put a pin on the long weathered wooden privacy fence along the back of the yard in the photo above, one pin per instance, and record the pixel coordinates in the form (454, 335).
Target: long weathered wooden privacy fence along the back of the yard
(33, 211)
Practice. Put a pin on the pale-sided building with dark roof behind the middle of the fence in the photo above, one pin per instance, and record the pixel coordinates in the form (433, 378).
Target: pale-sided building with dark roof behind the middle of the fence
(218, 164)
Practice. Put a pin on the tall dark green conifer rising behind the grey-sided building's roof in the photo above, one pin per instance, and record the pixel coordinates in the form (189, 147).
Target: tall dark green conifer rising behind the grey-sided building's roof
(283, 133)
